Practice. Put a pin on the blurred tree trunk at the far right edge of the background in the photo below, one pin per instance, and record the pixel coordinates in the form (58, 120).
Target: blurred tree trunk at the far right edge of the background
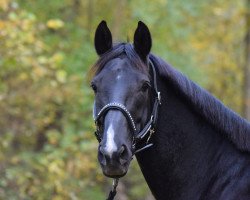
(246, 88)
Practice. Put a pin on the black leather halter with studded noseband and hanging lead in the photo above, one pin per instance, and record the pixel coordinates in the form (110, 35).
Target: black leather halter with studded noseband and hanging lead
(139, 137)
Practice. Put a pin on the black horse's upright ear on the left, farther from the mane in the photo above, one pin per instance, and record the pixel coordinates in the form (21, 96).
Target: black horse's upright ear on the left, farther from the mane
(103, 38)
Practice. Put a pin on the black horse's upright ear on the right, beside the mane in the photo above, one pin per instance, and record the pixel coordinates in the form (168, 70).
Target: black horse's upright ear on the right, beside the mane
(142, 40)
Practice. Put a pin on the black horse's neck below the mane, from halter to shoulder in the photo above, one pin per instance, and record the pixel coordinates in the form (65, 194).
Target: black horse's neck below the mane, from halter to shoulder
(185, 152)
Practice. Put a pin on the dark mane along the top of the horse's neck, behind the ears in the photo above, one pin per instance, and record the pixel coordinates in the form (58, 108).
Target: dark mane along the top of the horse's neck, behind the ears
(226, 121)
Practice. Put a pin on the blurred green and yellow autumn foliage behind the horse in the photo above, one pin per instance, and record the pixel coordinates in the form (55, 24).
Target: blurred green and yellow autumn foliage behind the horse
(47, 146)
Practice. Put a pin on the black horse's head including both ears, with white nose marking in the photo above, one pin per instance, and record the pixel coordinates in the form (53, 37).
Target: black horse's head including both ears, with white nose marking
(123, 100)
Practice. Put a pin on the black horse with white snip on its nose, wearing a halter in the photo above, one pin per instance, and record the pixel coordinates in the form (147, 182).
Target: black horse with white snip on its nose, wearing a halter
(200, 147)
